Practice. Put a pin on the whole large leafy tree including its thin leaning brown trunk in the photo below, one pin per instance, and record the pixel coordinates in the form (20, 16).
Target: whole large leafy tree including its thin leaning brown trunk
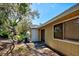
(16, 19)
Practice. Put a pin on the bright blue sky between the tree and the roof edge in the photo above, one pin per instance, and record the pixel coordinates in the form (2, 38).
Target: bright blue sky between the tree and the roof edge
(48, 11)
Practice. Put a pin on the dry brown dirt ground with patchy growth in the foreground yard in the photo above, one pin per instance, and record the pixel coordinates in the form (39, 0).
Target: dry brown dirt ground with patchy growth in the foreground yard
(29, 49)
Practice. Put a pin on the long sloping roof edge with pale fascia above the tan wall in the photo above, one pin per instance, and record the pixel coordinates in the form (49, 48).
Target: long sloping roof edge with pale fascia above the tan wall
(69, 11)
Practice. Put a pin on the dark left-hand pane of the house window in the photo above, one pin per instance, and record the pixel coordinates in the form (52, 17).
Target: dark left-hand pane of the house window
(58, 31)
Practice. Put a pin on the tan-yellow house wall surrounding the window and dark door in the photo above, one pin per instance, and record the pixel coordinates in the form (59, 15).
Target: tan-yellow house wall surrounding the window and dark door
(64, 46)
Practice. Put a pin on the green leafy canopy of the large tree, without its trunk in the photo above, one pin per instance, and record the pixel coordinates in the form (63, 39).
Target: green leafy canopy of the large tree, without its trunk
(17, 17)
